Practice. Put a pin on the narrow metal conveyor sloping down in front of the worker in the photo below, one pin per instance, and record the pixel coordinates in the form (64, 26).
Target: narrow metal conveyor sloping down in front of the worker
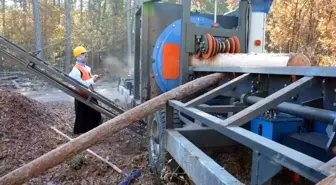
(60, 80)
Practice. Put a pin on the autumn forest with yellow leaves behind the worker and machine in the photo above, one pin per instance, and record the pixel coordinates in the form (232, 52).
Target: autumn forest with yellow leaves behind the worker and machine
(106, 28)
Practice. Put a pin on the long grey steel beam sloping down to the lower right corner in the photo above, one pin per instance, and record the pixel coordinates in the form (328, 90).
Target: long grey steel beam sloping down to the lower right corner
(277, 153)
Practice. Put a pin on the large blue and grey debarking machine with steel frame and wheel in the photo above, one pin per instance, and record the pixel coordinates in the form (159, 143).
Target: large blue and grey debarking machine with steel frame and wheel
(275, 104)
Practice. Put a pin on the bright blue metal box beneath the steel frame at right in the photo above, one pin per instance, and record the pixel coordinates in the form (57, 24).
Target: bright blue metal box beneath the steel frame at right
(275, 129)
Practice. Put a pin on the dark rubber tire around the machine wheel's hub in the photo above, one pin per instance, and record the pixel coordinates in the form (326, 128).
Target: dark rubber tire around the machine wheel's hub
(156, 167)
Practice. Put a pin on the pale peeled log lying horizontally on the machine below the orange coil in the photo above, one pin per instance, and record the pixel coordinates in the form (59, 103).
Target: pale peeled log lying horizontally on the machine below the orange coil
(252, 60)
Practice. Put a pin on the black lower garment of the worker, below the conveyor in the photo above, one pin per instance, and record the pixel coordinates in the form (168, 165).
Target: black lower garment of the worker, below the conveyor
(86, 117)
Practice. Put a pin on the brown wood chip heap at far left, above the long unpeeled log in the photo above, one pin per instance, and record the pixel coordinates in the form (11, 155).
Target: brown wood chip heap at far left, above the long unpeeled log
(24, 130)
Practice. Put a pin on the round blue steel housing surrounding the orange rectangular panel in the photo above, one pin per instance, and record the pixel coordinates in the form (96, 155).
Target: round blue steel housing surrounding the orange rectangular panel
(172, 34)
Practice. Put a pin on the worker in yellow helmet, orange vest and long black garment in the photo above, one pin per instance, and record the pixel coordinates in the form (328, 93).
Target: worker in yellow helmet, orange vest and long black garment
(86, 117)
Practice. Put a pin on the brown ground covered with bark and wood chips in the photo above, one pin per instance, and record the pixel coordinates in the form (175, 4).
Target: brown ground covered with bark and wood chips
(25, 134)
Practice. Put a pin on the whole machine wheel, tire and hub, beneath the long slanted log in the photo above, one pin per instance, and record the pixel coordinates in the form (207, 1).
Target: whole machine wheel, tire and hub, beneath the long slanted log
(156, 151)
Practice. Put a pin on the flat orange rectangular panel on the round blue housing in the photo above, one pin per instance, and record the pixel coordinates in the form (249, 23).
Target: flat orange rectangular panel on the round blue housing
(171, 61)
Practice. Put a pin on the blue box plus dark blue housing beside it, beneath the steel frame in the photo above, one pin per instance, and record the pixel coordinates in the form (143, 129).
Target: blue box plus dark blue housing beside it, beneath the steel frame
(308, 138)
